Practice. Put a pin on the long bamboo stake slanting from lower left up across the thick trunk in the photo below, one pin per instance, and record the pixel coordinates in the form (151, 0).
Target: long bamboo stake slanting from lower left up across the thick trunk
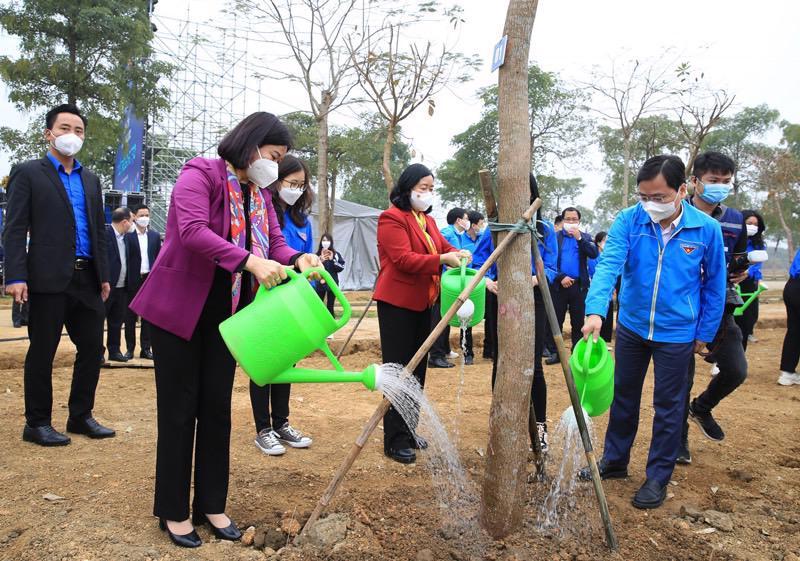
(421, 353)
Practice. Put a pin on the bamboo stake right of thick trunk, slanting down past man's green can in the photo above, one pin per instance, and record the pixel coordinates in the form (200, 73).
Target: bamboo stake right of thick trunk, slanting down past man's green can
(611, 538)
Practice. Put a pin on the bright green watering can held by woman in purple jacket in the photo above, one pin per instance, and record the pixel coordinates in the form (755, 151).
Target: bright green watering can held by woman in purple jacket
(285, 324)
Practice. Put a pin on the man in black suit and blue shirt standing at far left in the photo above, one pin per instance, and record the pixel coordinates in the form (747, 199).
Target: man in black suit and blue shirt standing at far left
(64, 274)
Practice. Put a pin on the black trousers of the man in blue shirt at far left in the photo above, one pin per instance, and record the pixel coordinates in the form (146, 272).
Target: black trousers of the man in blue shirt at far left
(80, 309)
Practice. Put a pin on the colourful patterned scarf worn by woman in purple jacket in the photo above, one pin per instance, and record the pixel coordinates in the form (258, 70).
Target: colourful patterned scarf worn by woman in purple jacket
(259, 228)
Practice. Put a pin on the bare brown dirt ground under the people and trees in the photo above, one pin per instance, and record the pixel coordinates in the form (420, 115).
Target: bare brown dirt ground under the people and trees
(104, 512)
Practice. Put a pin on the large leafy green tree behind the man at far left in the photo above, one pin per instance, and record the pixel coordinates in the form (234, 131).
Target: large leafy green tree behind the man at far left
(95, 54)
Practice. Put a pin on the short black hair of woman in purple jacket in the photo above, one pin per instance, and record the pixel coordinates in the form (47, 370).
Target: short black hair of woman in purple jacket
(252, 132)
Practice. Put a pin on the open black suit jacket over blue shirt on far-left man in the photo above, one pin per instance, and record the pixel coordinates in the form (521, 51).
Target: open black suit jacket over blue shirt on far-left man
(39, 203)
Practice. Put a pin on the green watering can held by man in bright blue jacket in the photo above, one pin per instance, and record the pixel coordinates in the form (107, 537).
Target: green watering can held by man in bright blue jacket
(593, 370)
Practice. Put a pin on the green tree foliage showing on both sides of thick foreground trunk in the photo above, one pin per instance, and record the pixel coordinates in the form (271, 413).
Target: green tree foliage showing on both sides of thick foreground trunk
(558, 131)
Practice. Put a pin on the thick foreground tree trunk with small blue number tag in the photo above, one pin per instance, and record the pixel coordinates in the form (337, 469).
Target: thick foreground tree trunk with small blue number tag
(504, 486)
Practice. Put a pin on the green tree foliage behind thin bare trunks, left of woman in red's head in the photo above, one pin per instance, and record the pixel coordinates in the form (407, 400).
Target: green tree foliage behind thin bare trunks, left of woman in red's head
(355, 157)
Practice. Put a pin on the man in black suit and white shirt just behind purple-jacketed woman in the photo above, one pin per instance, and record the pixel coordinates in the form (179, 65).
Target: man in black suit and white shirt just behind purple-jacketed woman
(144, 245)
